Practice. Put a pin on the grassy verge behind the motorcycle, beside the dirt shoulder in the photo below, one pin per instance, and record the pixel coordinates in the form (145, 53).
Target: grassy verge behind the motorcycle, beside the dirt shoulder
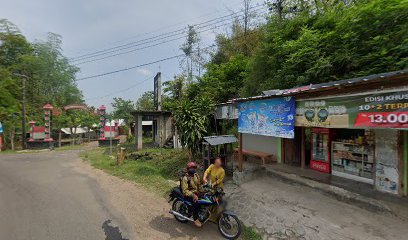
(158, 171)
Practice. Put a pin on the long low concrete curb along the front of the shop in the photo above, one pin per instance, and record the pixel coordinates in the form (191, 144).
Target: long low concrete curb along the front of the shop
(337, 192)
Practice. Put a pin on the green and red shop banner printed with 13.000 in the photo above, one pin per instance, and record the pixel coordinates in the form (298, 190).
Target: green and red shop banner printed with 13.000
(382, 110)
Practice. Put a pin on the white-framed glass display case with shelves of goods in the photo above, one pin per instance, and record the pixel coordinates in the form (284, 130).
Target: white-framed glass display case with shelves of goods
(353, 161)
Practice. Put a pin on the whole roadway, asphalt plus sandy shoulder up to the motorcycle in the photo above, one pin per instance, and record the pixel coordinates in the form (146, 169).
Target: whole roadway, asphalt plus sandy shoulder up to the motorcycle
(55, 195)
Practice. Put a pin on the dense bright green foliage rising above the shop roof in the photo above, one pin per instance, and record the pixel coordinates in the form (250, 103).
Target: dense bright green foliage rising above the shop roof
(334, 43)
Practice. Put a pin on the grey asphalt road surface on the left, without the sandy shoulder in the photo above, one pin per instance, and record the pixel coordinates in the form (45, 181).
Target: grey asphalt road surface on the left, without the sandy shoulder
(43, 197)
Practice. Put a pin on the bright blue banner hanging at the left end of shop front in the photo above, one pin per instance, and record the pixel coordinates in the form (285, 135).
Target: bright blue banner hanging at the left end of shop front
(271, 117)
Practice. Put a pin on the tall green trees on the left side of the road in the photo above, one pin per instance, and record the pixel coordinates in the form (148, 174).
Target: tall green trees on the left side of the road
(49, 77)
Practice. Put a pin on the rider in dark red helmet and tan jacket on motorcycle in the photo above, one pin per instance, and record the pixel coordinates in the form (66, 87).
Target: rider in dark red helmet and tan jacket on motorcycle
(191, 189)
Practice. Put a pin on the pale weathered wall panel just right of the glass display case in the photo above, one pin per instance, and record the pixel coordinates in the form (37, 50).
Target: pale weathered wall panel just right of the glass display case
(386, 157)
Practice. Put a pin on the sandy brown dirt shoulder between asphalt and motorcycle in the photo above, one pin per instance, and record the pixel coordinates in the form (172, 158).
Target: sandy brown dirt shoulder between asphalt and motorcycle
(146, 212)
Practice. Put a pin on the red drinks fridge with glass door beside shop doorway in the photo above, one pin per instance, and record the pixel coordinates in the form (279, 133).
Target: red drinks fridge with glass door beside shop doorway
(320, 149)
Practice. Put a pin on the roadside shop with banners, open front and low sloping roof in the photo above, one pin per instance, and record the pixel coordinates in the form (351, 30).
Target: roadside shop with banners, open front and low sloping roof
(354, 129)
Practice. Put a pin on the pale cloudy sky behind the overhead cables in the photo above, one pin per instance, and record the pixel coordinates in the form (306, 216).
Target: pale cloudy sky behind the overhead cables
(88, 26)
